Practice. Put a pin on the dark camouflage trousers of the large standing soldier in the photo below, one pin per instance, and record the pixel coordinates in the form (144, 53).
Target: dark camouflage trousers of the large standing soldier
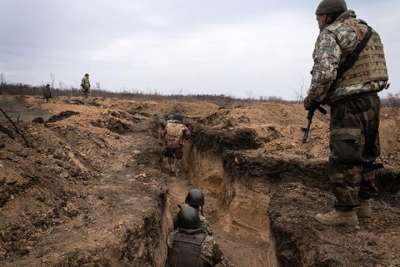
(354, 146)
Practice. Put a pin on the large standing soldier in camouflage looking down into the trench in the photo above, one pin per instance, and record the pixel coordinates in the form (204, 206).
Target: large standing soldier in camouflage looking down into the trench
(349, 71)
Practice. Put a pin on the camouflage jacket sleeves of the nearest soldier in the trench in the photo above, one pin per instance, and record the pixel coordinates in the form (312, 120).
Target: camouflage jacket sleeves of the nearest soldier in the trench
(210, 251)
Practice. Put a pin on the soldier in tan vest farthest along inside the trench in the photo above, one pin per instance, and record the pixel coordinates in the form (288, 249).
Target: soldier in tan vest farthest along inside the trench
(174, 134)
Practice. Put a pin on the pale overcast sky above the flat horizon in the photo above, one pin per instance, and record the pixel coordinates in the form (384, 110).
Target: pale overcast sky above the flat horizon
(238, 48)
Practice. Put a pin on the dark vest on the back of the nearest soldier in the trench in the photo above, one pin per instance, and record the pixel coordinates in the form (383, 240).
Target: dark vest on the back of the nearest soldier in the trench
(186, 250)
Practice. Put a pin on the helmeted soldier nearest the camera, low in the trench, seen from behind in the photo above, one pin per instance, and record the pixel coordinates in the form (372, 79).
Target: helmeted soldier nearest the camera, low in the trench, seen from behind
(190, 246)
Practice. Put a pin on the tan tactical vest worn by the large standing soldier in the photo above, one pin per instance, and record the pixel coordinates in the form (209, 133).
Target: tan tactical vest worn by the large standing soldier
(371, 64)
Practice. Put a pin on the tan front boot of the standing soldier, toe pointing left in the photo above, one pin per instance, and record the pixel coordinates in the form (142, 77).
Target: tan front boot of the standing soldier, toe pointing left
(336, 217)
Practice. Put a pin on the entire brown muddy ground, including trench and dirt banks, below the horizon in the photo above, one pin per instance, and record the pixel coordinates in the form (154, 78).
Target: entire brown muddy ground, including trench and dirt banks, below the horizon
(88, 189)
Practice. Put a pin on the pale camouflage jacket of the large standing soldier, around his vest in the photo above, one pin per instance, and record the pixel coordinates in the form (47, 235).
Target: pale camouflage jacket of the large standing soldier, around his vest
(334, 43)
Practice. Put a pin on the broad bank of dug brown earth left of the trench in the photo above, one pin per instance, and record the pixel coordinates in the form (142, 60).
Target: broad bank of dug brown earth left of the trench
(71, 199)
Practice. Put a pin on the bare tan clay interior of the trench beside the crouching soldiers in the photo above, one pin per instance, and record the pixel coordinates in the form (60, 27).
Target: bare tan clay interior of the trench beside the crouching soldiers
(236, 208)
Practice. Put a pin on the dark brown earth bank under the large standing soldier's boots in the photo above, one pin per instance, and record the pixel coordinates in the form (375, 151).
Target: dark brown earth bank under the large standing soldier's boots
(302, 241)
